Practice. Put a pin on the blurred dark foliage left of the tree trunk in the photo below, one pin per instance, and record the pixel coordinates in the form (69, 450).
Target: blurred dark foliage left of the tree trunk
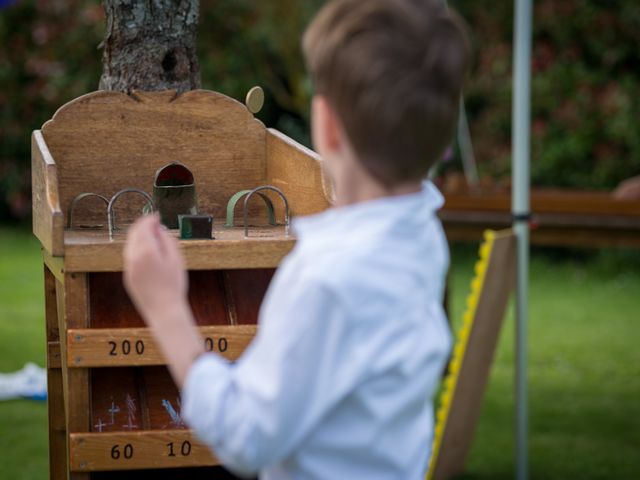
(48, 56)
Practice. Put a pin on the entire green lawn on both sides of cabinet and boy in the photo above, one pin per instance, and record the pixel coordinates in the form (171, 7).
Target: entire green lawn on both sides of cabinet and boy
(584, 366)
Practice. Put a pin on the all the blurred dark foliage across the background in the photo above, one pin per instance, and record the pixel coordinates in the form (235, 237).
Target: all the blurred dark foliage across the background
(586, 66)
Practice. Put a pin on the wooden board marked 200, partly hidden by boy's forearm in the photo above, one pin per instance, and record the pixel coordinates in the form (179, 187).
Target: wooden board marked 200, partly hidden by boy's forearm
(136, 346)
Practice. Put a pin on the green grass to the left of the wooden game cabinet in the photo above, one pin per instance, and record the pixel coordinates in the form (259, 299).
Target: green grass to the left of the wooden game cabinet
(23, 423)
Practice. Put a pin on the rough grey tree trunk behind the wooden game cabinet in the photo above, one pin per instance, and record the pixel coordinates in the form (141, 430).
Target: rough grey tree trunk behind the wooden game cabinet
(150, 45)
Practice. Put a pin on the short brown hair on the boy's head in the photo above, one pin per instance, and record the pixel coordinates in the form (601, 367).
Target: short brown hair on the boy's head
(393, 71)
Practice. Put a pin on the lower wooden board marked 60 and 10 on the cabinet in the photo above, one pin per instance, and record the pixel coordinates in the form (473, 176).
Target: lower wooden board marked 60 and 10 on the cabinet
(95, 452)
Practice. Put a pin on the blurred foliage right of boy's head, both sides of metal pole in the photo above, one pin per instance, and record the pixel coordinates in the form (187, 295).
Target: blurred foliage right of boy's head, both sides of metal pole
(585, 90)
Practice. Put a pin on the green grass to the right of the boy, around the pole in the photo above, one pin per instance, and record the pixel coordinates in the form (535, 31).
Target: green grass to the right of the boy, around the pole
(584, 371)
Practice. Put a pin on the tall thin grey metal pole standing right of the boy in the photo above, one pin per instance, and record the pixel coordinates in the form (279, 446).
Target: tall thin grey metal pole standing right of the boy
(521, 214)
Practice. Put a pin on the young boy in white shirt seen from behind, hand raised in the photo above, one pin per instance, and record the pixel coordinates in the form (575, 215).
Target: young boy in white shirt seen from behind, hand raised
(353, 338)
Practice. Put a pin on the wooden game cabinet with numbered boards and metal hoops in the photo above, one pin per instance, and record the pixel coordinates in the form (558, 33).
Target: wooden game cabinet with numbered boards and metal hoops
(112, 404)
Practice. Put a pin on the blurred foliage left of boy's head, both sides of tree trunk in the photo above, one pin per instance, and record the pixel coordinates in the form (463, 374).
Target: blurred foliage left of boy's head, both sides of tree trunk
(50, 54)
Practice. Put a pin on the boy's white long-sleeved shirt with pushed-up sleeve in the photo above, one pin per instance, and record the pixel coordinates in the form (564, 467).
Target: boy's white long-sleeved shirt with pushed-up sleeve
(352, 340)
